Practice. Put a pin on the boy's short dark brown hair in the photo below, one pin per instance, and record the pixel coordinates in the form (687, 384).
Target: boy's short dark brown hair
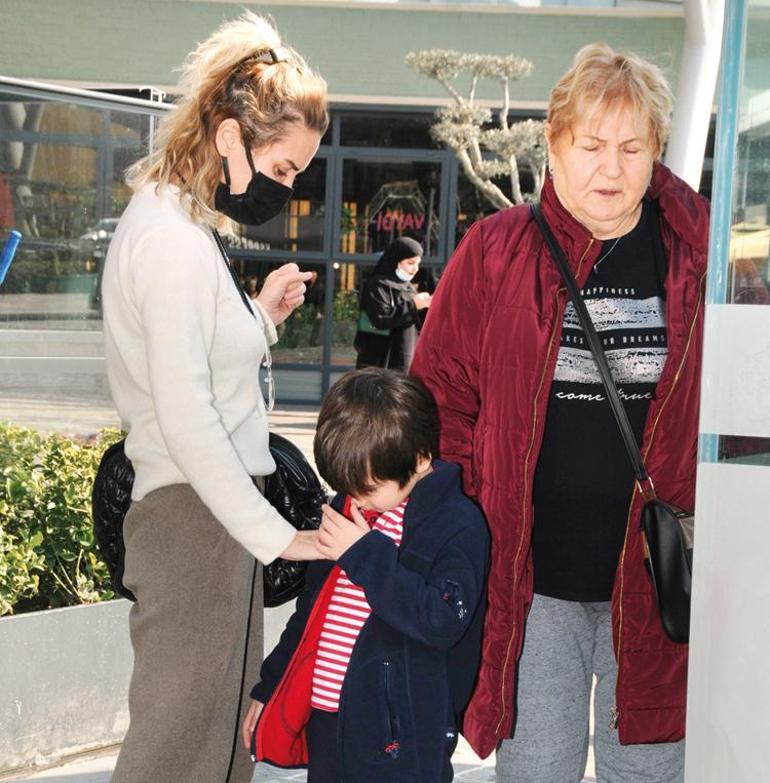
(374, 424)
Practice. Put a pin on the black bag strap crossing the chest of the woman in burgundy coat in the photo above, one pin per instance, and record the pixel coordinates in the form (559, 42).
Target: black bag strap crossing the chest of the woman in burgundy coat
(621, 417)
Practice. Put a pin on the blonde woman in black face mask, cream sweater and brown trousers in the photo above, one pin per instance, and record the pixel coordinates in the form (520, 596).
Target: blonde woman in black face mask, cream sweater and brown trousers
(183, 354)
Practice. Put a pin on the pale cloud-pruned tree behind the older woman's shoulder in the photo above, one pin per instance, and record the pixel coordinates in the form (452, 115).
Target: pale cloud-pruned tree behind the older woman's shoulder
(486, 145)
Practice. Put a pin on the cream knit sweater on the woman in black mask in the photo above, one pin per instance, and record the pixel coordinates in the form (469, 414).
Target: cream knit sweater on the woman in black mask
(183, 356)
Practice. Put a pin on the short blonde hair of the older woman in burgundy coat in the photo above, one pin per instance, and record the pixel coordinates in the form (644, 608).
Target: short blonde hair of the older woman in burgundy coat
(600, 77)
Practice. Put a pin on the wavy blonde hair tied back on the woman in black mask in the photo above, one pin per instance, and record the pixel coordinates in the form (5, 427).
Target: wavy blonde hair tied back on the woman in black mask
(225, 77)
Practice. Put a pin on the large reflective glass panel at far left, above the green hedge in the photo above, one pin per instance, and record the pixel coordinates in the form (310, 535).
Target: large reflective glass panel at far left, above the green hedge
(61, 169)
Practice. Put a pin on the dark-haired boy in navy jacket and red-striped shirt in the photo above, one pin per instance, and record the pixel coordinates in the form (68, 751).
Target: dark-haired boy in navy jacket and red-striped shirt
(373, 670)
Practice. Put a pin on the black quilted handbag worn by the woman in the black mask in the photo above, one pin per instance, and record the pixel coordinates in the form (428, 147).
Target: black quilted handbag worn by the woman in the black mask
(293, 489)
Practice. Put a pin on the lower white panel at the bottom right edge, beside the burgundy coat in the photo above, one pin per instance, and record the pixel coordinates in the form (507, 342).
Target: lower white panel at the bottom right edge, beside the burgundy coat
(728, 708)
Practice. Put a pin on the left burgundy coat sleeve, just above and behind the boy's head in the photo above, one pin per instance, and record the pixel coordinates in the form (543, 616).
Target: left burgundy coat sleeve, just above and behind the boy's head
(447, 354)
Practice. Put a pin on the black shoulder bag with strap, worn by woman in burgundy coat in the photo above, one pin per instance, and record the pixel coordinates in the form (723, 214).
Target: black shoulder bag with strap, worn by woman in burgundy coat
(668, 531)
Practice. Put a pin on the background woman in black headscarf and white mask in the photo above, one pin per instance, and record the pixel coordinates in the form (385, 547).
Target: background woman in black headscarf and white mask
(391, 307)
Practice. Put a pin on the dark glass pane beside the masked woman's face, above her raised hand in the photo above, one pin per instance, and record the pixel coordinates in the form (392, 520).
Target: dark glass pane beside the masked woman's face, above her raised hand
(300, 226)
